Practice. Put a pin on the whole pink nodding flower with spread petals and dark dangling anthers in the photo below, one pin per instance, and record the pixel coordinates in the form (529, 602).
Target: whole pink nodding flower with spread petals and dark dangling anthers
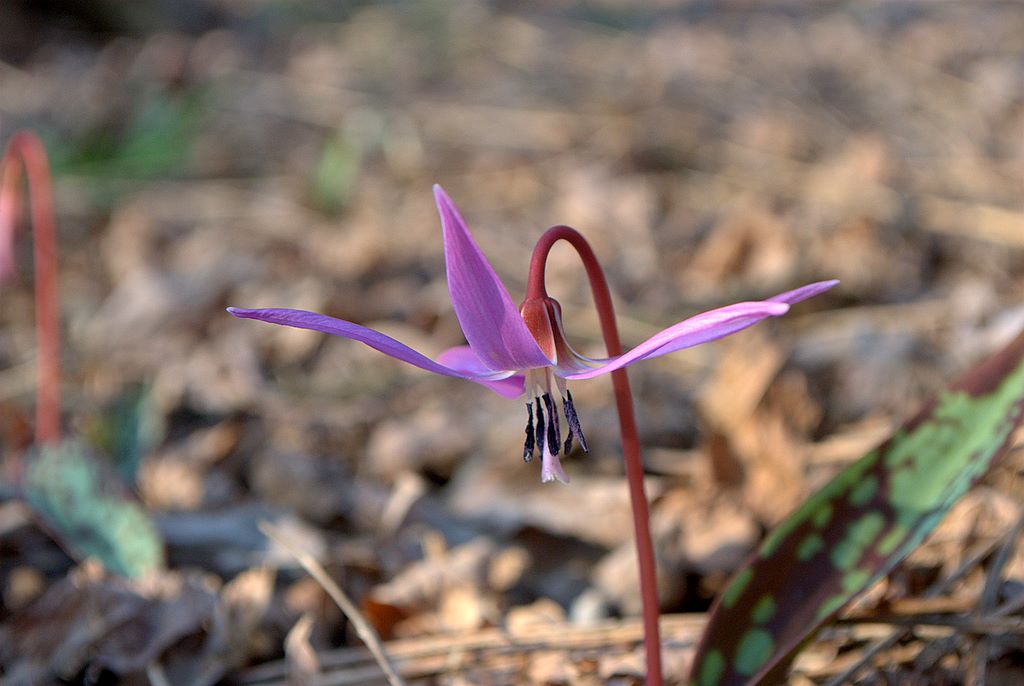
(514, 351)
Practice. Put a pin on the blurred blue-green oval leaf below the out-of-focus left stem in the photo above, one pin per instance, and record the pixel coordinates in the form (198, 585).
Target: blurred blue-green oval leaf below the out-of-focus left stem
(84, 506)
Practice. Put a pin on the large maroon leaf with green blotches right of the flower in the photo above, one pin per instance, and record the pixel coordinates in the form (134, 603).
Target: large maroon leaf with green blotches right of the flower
(856, 530)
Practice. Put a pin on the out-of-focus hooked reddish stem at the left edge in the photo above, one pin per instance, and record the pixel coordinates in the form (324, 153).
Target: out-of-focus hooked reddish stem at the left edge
(26, 154)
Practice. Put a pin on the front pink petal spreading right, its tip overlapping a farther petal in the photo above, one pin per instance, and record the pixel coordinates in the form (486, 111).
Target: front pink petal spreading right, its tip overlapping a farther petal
(695, 331)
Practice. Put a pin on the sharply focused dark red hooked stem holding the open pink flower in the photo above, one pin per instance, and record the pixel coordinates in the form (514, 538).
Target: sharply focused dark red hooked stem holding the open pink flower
(627, 424)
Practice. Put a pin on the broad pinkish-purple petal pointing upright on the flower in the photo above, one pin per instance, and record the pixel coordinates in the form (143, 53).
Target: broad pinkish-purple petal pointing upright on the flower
(489, 318)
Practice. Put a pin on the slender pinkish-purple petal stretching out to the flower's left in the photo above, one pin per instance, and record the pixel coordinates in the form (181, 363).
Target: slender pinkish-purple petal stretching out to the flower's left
(328, 325)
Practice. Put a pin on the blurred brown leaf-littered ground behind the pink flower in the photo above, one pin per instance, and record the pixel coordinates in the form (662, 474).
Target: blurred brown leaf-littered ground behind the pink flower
(266, 153)
